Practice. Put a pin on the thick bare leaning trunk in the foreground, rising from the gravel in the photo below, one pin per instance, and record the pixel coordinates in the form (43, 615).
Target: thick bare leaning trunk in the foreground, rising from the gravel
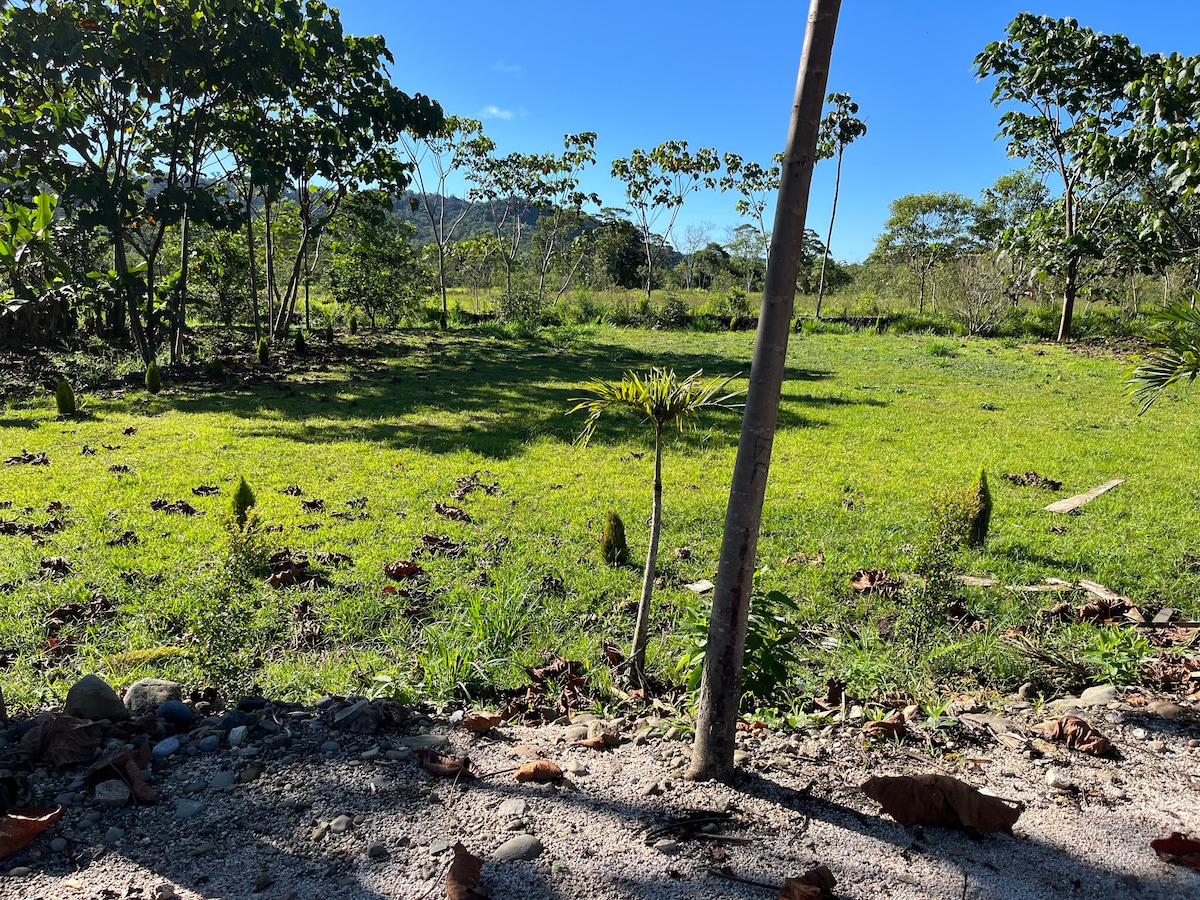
(721, 686)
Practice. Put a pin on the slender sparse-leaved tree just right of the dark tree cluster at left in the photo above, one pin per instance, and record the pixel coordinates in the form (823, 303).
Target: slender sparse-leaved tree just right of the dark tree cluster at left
(455, 146)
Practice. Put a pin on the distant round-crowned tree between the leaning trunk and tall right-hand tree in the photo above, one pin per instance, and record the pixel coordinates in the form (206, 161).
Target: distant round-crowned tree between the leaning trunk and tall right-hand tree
(925, 231)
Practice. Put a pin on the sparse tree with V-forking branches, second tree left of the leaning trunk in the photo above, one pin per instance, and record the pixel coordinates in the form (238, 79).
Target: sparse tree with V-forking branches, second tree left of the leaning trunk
(657, 183)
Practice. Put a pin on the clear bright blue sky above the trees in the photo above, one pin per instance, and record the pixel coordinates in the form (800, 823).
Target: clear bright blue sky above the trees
(639, 74)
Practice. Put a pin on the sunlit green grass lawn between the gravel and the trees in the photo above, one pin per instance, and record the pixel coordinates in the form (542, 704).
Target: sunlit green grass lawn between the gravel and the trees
(871, 428)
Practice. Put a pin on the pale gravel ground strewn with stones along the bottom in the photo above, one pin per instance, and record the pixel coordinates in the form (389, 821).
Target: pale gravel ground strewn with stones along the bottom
(281, 818)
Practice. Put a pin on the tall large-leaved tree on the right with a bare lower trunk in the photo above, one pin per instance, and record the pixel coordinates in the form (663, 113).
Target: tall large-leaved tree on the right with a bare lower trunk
(1067, 86)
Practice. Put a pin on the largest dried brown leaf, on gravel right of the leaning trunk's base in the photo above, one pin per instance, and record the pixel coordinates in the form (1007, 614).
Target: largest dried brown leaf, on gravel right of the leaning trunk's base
(940, 801)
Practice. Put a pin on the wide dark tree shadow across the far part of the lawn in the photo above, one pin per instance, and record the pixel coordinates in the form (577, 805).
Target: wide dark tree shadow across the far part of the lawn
(488, 397)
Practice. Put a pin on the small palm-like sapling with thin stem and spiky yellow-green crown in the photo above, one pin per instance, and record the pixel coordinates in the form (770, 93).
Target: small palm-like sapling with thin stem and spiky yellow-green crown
(662, 398)
